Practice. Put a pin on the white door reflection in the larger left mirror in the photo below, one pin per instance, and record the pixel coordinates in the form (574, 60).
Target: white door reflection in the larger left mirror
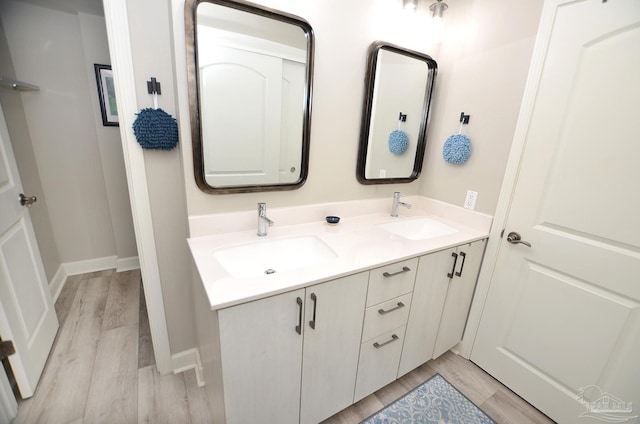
(251, 98)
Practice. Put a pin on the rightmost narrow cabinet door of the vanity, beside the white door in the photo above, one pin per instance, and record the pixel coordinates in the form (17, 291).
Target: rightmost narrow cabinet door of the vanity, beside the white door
(459, 296)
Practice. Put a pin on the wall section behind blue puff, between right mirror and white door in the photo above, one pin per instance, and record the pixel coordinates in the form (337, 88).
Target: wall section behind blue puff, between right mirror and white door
(483, 65)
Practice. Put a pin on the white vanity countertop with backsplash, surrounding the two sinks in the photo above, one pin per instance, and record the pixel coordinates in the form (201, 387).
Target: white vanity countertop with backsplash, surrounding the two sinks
(357, 241)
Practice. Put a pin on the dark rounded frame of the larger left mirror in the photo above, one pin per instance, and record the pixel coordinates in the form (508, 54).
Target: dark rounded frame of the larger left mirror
(191, 23)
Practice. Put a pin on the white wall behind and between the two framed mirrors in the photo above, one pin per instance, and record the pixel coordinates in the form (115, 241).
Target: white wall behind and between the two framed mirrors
(343, 32)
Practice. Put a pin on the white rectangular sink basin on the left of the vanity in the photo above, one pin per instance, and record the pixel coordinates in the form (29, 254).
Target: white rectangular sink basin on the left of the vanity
(265, 257)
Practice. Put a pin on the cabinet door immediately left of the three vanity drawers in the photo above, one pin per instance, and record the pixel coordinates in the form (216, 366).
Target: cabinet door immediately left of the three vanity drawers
(333, 327)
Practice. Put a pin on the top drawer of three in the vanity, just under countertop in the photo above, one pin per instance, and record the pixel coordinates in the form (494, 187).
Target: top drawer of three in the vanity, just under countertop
(391, 281)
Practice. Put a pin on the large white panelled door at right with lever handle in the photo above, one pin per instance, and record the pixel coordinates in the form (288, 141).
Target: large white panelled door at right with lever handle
(561, 323)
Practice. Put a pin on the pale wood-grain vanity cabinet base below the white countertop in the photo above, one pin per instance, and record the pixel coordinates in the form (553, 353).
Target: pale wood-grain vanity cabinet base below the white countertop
(303, 355)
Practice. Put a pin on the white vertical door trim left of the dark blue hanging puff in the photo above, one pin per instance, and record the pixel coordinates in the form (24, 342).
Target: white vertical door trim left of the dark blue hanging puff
(117, 24)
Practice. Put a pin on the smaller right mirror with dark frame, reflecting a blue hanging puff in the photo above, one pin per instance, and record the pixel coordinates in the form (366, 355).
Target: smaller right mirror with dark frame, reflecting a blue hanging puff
(398, 90)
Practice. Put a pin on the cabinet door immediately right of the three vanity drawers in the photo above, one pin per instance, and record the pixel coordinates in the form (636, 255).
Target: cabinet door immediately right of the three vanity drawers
(429, 294)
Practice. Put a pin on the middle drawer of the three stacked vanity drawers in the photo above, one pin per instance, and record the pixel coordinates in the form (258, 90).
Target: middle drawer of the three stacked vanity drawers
(386, 316)
